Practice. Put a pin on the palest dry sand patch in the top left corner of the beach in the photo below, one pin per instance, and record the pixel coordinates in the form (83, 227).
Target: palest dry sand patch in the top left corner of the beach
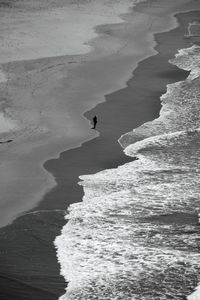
(27, 34)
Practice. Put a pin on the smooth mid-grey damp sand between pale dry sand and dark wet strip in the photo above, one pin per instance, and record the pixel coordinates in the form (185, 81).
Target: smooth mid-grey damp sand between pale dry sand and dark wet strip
(116, 53)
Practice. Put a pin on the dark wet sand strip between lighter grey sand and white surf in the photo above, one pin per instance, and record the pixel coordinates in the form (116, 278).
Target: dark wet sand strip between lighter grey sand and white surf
(29, 269)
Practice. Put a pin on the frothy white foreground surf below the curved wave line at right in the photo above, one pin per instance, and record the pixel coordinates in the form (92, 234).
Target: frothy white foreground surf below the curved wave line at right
(109, 247)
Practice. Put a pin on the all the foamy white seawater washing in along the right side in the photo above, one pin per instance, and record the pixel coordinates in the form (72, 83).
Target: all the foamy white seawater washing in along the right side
(136, 234)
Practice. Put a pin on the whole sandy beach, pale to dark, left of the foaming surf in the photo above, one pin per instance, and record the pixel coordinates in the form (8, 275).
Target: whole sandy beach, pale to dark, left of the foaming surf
(51, 95)
